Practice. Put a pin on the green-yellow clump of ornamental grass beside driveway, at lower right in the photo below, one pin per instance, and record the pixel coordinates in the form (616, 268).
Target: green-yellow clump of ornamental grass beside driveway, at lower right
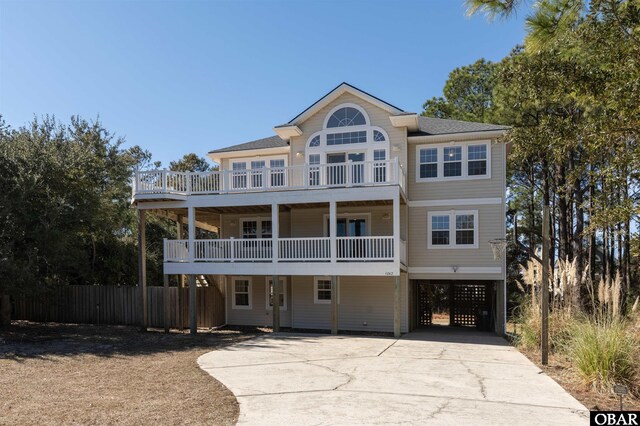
(604, 352)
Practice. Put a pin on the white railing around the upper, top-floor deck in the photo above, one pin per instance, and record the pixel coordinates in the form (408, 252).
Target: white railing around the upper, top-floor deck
(306, 176)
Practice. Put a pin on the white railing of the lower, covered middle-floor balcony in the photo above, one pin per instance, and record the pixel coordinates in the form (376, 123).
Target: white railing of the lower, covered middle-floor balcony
(348, 249)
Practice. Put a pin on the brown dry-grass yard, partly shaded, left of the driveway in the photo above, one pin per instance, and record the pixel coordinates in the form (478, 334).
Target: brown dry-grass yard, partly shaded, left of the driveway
(84, 374)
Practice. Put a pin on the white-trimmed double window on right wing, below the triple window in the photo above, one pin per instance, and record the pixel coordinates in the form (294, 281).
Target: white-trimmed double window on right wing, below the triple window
(453, 229)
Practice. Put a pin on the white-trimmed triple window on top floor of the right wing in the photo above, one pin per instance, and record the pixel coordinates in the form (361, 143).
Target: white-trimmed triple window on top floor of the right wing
(454, 160)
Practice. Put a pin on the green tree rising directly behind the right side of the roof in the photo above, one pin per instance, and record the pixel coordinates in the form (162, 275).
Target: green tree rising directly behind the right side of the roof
(467, 94)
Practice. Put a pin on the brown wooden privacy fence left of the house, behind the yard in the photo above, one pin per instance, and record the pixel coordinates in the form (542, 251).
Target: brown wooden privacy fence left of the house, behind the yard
(120, 306)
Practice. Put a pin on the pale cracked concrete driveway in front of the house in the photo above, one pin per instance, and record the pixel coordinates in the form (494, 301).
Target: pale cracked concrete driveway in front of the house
(444, 376)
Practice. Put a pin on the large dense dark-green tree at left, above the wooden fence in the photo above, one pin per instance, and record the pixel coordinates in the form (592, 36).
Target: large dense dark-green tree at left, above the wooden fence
(65, 214)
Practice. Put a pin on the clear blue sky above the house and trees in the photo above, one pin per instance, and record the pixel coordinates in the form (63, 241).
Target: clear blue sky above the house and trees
(190, 76)
